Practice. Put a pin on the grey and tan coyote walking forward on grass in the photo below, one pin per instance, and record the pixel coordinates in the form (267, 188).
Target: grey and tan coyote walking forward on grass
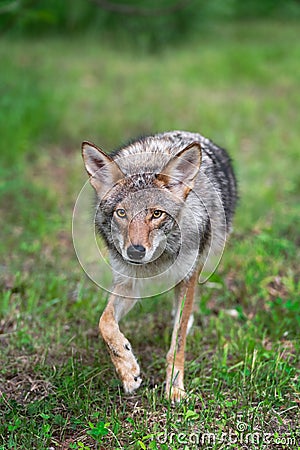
(164, 206)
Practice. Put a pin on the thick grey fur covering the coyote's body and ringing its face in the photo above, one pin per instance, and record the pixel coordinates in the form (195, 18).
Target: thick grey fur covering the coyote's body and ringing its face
(201, 221)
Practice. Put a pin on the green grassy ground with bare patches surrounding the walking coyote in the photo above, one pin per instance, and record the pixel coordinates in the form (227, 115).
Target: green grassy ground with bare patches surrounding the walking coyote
(237, 85)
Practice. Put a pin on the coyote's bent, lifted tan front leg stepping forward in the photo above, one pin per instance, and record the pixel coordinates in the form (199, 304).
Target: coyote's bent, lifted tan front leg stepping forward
(119, 347)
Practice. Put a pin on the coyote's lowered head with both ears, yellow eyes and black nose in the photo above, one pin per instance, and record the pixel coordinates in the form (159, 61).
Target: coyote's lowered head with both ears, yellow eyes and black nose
(138, 210)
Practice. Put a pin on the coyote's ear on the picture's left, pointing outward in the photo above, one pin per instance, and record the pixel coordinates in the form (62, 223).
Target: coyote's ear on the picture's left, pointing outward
(102, 170)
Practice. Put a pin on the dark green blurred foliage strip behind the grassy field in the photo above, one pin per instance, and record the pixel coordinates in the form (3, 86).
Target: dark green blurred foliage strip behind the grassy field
(144, 23)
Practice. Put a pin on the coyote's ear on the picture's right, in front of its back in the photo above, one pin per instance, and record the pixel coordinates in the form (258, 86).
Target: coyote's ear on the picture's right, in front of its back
(180, 172)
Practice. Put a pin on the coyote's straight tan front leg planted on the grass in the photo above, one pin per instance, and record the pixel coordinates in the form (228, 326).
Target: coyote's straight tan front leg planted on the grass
(175, 357)
